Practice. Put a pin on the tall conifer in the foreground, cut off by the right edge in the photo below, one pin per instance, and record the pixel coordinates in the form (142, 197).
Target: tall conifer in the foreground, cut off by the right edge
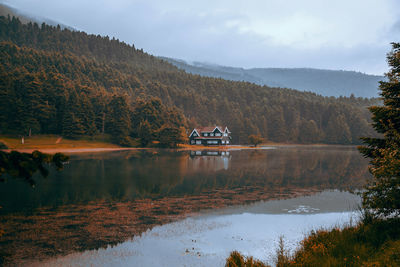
(383, 195)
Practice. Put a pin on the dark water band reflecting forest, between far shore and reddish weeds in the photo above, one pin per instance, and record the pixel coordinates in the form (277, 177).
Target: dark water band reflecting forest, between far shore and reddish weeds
(128, 175)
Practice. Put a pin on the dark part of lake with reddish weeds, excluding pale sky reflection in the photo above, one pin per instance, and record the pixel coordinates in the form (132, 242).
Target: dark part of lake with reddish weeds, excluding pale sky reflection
(107, 198)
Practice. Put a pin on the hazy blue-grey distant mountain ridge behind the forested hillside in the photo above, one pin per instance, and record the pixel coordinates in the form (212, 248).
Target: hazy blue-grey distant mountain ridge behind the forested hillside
(324, 82)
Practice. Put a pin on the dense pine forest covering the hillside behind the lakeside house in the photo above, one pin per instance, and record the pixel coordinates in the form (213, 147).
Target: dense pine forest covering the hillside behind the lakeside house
(58, 81)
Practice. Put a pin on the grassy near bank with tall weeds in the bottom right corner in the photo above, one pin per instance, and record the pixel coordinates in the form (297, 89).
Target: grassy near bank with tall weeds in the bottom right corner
(370, 243)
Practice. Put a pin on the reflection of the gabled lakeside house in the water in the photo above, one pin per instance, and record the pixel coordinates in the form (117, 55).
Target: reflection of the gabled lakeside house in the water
(209, 160)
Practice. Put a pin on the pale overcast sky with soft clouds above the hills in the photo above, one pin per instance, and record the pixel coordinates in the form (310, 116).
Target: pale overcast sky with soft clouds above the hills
(339, 34)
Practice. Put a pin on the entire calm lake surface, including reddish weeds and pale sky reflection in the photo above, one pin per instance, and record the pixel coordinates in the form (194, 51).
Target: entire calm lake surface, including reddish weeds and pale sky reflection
(249, 197)
